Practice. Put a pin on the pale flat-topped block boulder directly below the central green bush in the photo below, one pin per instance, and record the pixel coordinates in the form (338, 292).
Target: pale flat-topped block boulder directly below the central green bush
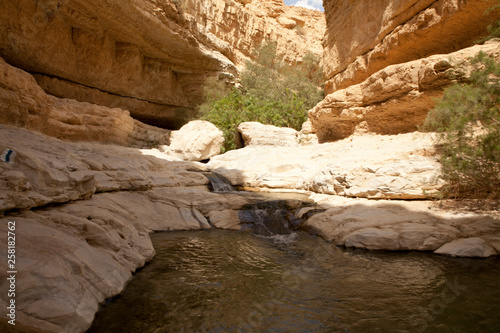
(257, 134)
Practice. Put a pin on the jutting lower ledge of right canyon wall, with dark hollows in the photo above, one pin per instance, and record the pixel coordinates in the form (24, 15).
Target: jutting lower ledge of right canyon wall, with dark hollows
(395, 99)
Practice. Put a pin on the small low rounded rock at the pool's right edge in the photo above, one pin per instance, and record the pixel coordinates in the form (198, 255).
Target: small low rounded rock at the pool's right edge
(467, 247)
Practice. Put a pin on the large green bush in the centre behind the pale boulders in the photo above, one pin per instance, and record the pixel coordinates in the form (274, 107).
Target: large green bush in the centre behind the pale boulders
(271, 92)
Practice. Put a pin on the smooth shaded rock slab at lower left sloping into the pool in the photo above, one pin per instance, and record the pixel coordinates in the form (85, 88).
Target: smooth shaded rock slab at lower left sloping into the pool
(91, 247)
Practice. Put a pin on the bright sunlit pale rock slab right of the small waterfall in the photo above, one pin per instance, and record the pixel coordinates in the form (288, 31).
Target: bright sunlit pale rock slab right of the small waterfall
(397, 167)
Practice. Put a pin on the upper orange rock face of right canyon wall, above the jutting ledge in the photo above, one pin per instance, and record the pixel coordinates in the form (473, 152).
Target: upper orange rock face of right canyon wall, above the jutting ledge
(364, 37)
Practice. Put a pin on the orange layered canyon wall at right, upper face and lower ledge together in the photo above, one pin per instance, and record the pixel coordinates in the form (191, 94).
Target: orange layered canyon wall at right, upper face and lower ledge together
(387, 61)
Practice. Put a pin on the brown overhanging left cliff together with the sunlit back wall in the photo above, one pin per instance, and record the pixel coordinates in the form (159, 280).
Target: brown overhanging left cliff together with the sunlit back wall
(148, 57)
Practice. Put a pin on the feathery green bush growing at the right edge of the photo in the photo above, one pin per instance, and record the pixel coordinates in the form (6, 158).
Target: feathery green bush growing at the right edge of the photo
(468, 120)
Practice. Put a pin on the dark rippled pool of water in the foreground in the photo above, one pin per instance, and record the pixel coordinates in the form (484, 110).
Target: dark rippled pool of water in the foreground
(229, 281)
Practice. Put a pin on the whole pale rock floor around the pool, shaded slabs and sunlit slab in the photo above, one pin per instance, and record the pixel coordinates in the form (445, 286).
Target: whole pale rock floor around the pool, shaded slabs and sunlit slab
(84, 212)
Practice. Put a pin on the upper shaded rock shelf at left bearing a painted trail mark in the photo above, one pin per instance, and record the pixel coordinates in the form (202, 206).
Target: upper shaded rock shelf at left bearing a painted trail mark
(46, 170)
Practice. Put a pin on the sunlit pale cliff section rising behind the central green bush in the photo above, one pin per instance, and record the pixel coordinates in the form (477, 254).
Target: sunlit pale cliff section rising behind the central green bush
(238, 28)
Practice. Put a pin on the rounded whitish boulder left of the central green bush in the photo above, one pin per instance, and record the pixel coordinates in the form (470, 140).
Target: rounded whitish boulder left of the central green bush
(196, 141)
